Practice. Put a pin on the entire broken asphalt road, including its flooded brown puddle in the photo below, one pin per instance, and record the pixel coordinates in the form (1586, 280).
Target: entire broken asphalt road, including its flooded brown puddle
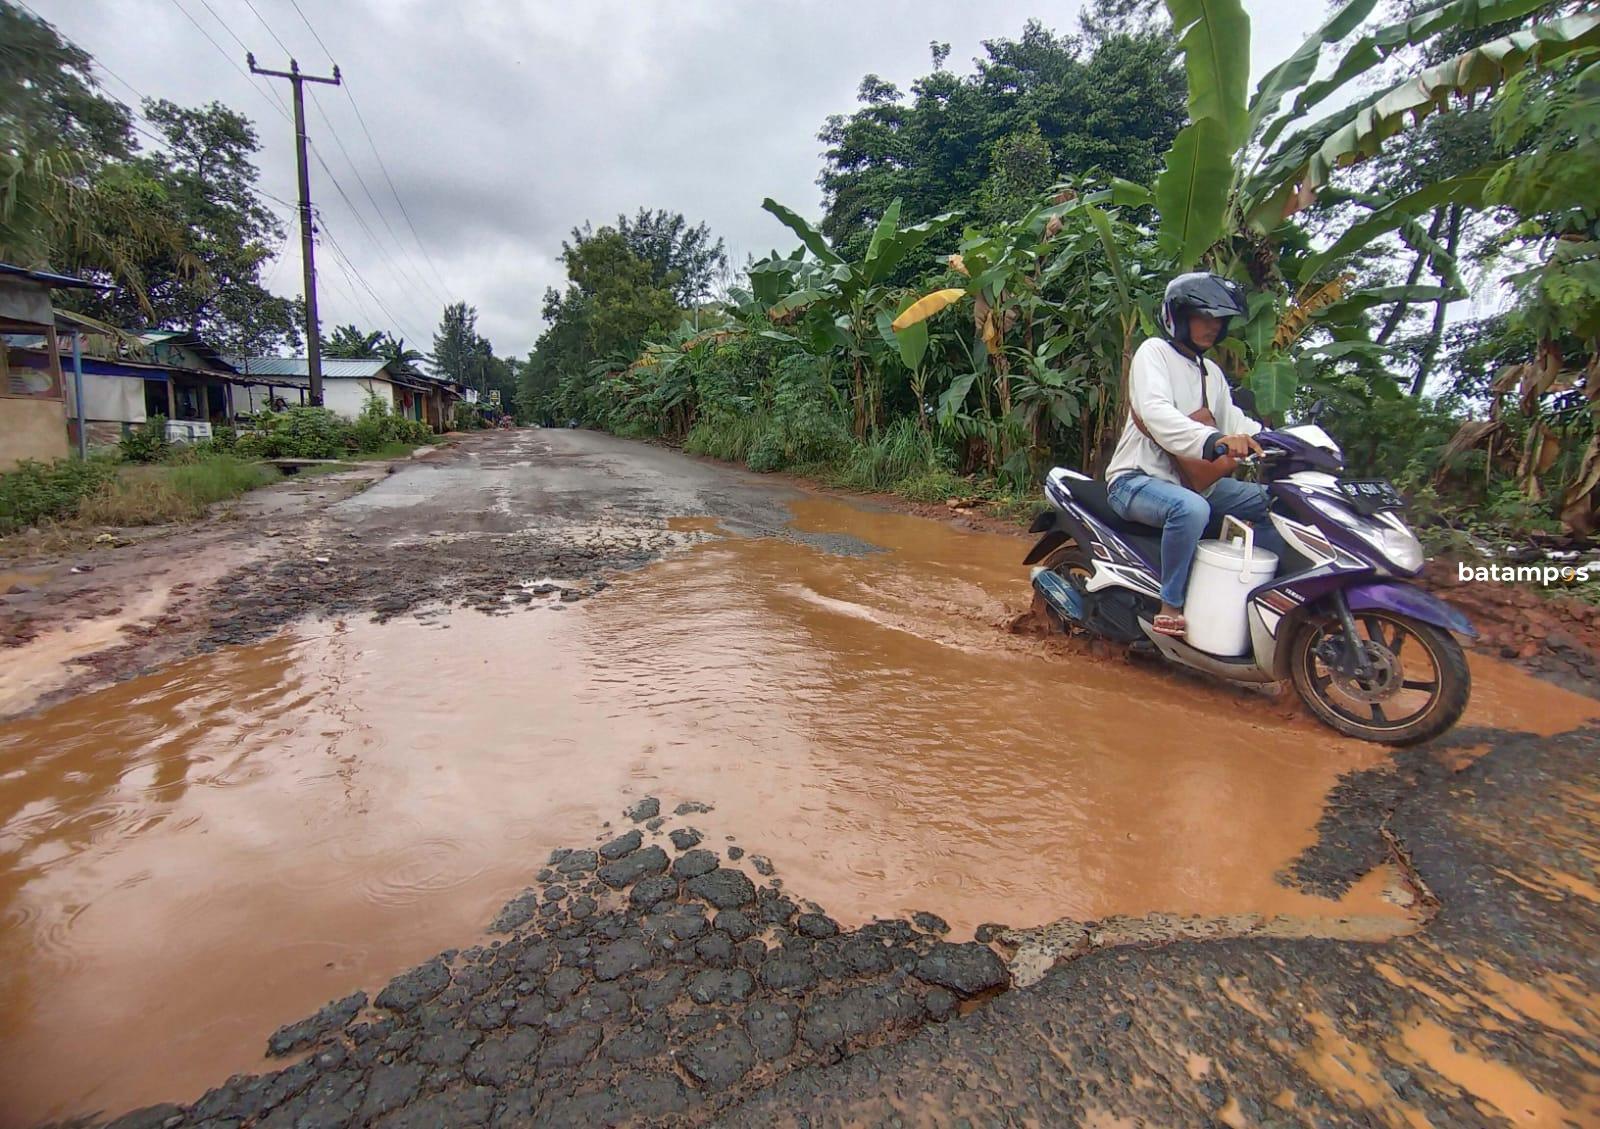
(903, 866)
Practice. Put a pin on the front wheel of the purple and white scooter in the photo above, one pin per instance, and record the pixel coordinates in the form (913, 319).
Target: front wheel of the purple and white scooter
(1417, 687)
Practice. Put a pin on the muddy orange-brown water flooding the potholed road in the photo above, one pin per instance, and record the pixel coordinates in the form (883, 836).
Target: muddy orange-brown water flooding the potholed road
(194, 858)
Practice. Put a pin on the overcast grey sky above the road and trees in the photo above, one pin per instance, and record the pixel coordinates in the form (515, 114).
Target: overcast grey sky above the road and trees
(503, 124)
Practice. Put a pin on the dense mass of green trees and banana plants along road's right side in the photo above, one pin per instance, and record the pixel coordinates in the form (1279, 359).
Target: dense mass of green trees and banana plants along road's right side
(985, 268)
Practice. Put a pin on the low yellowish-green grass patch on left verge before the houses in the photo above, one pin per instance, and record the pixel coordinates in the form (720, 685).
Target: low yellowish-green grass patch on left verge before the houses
(153, 495)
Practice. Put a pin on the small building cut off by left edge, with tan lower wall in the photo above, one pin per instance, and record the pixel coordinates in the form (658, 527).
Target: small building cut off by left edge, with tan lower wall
(33, 391)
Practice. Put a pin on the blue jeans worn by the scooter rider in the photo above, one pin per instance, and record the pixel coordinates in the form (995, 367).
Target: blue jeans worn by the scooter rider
(1183, 517)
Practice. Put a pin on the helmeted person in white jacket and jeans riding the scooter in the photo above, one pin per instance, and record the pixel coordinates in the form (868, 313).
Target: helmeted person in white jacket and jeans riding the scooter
(1180, 405)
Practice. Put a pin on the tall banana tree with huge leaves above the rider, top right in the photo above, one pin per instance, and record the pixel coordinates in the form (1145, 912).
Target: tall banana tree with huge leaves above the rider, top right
(1241, 169)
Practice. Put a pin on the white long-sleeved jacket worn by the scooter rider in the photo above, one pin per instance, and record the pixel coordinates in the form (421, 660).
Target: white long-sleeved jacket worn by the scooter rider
(1166, 388)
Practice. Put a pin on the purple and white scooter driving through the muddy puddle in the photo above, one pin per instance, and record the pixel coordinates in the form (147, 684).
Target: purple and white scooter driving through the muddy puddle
(1370, 655)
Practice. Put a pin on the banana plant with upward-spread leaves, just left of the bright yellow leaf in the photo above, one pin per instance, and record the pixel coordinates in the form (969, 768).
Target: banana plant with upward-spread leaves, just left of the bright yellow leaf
(834, 303)
